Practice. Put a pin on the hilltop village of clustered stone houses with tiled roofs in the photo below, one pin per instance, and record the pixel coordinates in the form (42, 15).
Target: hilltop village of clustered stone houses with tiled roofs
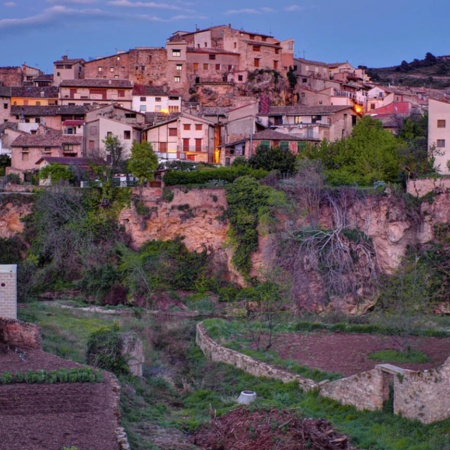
(208, 96)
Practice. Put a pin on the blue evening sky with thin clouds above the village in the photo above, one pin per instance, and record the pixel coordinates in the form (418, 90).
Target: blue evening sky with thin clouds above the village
(376, 34)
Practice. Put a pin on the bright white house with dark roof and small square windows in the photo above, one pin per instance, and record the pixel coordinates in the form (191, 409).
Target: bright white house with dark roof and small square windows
(155, 99)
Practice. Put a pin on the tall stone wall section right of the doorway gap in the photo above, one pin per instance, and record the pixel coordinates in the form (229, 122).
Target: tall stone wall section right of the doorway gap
(423, 395)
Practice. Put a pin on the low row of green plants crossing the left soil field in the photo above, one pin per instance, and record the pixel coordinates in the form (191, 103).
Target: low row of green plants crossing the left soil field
(78, 375)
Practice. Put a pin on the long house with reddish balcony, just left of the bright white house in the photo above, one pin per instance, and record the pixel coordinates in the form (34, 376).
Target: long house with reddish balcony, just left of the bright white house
(96, 91)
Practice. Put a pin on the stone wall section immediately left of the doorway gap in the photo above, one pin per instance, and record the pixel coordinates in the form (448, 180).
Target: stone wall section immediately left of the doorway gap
(368, 390)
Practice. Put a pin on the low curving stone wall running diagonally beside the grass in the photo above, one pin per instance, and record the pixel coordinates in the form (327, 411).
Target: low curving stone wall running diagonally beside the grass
(217, 353)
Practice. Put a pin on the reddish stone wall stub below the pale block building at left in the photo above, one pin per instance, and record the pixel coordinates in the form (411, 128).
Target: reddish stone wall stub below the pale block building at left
(16, 333)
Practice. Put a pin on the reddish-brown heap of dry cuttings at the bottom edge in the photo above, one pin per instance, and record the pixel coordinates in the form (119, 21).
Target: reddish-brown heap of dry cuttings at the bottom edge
(242, 429)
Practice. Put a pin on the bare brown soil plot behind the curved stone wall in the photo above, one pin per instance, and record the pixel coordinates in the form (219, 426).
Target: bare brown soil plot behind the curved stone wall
(348, 354)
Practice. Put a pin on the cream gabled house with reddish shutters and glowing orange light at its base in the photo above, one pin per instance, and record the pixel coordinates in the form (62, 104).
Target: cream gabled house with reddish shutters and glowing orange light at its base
(185, 137)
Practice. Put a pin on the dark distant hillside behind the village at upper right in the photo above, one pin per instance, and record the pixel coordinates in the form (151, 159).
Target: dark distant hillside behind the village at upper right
(431, 71)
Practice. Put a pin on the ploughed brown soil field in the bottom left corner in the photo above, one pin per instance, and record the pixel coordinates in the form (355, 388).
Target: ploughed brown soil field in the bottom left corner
(53, 416)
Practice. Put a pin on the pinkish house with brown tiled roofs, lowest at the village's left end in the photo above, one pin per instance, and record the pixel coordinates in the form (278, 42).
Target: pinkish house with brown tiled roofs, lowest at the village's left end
(27, 149)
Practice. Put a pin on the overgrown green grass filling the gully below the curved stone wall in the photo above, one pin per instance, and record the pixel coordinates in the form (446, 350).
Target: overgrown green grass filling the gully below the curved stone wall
(180, 387)
